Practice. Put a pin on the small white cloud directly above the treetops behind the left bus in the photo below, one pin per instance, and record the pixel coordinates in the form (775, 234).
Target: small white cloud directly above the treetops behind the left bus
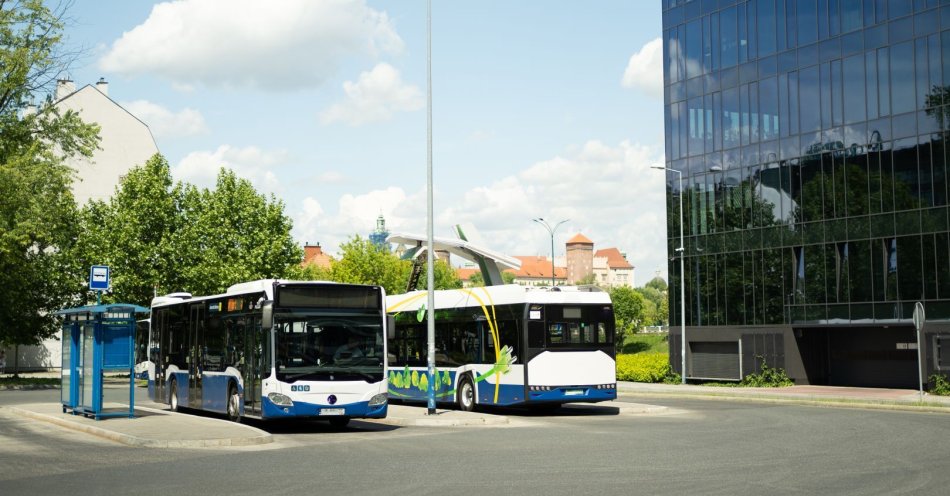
(251, 163)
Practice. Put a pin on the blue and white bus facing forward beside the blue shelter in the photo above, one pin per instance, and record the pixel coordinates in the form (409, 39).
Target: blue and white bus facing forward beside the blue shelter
(273, 349)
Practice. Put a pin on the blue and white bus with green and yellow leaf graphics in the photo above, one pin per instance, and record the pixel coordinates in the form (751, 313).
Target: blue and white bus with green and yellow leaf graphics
(505, 346)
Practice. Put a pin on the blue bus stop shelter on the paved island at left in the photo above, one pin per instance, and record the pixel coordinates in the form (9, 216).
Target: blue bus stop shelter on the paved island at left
(97, 339)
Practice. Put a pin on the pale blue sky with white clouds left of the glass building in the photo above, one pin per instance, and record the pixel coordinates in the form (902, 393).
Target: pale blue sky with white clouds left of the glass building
(549, 109)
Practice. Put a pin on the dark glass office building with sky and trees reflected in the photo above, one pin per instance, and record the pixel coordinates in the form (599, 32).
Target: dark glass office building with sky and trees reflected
(808, 142)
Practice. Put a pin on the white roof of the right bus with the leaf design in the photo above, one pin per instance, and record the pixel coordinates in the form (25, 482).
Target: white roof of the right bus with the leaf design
(496, 295)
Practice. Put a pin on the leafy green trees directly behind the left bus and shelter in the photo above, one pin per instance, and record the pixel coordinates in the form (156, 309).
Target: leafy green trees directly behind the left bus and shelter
(159, 236)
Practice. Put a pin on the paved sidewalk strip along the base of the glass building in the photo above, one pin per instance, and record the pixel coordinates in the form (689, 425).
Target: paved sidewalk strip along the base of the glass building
(908, 399)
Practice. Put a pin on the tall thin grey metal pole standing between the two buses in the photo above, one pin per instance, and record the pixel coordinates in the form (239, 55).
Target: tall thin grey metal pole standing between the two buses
(430, 261)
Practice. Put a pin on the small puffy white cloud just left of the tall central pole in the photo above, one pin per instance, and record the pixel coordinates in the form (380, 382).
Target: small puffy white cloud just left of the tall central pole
(376, 96)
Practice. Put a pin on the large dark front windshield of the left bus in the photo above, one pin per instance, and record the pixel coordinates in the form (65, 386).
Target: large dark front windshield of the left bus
(329, 348)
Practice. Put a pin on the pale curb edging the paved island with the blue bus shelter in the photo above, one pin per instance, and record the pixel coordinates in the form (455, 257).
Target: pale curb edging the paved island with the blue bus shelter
(130, 440)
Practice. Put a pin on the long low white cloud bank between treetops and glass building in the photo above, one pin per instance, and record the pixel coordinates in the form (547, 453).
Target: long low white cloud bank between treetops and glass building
(608, 193)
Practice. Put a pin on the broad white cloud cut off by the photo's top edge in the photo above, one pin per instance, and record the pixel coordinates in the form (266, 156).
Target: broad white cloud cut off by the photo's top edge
(249, 43)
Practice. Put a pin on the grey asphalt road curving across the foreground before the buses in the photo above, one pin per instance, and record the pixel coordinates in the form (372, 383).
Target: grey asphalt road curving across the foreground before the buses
(705, 447)
